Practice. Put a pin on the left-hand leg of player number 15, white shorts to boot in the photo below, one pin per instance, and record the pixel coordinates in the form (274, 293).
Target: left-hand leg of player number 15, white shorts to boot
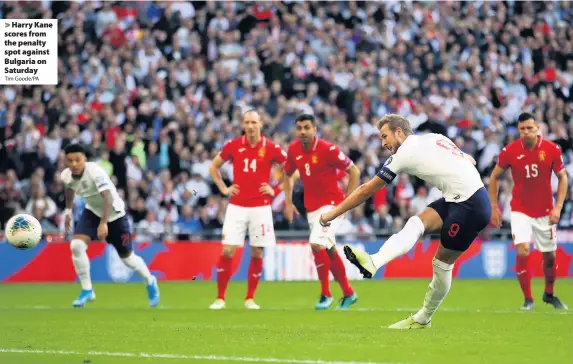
(521, 230)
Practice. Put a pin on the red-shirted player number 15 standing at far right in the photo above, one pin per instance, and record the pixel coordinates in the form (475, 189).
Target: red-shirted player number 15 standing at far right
(533, 216)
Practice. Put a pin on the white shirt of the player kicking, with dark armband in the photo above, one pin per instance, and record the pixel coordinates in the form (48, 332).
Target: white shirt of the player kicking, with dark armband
(437, 160)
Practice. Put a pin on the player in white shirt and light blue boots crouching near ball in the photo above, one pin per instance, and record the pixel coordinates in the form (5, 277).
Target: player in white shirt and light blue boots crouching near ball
(104, 219)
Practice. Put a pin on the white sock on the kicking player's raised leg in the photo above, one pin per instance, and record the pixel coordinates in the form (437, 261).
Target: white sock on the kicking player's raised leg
(399, 243)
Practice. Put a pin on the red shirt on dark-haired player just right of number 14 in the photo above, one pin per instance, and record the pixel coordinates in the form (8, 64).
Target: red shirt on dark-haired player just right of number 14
(319, 174)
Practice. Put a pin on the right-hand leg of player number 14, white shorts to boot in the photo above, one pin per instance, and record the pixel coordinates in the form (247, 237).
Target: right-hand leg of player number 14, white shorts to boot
(261, 235)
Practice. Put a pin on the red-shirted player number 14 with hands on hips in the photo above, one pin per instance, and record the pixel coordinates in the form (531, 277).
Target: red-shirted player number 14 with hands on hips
(249, 208)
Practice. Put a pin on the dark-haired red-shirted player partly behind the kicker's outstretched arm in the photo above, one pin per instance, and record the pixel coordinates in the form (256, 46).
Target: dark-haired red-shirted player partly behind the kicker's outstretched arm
(318, 163)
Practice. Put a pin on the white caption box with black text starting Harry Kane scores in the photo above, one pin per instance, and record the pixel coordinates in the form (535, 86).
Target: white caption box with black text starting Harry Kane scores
(29, 52)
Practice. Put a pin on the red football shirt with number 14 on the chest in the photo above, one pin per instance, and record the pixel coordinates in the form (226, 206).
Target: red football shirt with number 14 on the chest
(251, 168)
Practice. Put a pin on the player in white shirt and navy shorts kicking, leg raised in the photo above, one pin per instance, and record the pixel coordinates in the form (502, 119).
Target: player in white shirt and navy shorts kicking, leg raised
(463, 212)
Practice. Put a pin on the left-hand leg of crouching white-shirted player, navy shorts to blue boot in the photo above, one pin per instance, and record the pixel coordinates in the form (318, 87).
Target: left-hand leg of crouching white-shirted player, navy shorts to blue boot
(84, 232)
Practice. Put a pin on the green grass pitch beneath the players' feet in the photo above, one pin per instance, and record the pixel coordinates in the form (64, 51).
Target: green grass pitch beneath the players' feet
(479, 322)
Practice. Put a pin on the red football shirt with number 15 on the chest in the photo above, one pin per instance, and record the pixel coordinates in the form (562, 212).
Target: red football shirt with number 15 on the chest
(531, 172)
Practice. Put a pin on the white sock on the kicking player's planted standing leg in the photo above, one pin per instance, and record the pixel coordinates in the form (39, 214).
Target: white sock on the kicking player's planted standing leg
(437, 291)
